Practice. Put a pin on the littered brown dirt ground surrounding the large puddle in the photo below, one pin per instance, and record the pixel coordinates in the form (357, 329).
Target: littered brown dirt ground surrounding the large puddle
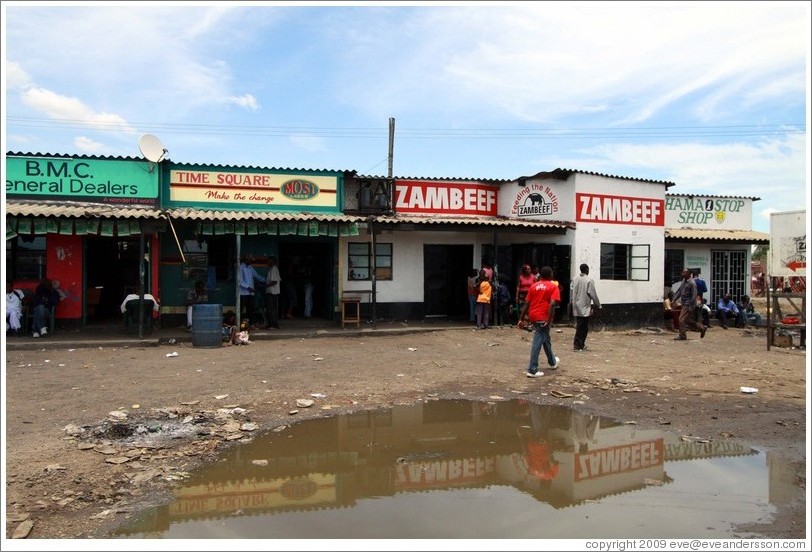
(59, 487)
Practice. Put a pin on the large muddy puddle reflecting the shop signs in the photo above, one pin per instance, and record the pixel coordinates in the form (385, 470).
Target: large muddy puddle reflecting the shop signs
(465, 469)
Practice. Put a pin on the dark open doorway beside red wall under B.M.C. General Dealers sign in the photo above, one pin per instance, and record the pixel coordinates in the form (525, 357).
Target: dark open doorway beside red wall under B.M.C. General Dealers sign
(111, 272)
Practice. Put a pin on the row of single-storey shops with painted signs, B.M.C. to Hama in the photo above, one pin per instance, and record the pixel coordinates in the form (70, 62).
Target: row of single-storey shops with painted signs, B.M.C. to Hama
(100, 226)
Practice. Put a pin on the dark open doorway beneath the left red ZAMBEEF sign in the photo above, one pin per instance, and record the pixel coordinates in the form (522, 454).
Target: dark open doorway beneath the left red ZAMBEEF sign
(445, 270)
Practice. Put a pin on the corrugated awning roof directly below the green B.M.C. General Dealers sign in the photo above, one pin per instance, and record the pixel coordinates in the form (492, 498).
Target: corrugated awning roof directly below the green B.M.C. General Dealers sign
(68, 209)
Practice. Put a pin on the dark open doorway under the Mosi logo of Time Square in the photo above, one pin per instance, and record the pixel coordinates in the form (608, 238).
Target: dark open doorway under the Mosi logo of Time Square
(303, 262)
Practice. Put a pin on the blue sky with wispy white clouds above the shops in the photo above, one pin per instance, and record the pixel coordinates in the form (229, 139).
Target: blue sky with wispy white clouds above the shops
(709, 95)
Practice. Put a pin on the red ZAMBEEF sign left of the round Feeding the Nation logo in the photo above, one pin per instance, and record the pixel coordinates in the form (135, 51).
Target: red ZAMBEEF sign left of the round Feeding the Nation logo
(445, 198)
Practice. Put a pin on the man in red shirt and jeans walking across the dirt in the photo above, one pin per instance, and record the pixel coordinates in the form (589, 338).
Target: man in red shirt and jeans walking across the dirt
(542, 298)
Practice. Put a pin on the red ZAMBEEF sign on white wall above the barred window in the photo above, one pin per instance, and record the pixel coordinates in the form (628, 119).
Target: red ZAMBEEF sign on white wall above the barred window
(607, 209)
